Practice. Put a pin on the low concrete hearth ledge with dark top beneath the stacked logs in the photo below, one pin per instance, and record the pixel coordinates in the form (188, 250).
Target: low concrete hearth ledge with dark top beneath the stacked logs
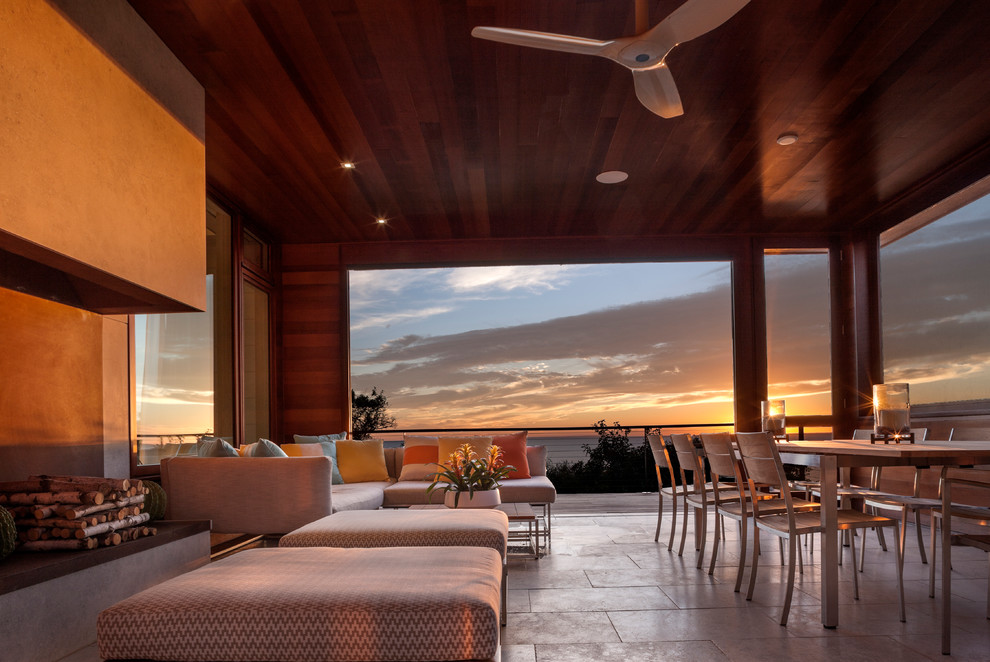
(50, 600)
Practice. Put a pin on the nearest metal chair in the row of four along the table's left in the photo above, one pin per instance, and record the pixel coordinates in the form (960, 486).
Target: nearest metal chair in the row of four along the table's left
(762, 464)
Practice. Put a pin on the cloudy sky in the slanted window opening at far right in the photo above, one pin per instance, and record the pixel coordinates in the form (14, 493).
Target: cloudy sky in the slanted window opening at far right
(936, 307)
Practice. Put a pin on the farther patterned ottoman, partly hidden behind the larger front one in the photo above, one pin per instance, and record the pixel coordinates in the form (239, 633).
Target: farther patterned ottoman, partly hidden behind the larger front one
(444, 527)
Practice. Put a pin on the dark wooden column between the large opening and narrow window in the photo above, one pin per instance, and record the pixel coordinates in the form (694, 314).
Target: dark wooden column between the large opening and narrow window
(749, 334)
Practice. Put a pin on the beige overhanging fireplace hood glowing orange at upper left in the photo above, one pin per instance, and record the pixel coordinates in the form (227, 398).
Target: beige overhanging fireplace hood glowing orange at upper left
(97, 178)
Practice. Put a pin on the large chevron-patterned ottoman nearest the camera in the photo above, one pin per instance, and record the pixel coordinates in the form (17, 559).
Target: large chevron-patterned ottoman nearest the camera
(302, 604)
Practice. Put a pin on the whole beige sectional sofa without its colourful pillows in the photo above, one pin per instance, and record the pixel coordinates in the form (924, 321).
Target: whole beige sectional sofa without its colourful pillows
(275, 495)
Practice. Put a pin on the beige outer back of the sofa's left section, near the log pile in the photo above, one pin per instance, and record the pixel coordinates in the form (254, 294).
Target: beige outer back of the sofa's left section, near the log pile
(256, 495)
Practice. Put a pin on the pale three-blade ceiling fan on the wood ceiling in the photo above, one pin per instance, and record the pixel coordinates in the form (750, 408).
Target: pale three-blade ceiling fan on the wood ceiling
(644, 53)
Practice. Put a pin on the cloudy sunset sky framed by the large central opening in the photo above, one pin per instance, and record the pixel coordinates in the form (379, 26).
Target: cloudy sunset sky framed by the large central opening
(545, 346)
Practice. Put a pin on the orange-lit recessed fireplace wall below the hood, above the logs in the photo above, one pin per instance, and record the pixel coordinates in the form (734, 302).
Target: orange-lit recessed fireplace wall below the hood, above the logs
(60, 390)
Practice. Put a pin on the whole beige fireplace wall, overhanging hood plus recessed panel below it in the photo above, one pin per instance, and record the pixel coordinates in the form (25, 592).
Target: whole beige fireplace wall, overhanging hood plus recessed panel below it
(103, 190)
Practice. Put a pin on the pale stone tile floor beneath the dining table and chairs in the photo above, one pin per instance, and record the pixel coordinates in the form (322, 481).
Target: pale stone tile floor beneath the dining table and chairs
(608, 592)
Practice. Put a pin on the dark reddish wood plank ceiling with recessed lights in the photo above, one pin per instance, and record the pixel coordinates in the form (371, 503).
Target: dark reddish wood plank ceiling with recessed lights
(455, 137)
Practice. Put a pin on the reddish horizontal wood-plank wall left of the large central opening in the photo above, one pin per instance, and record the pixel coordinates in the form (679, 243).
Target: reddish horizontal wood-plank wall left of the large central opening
(314, 341)
